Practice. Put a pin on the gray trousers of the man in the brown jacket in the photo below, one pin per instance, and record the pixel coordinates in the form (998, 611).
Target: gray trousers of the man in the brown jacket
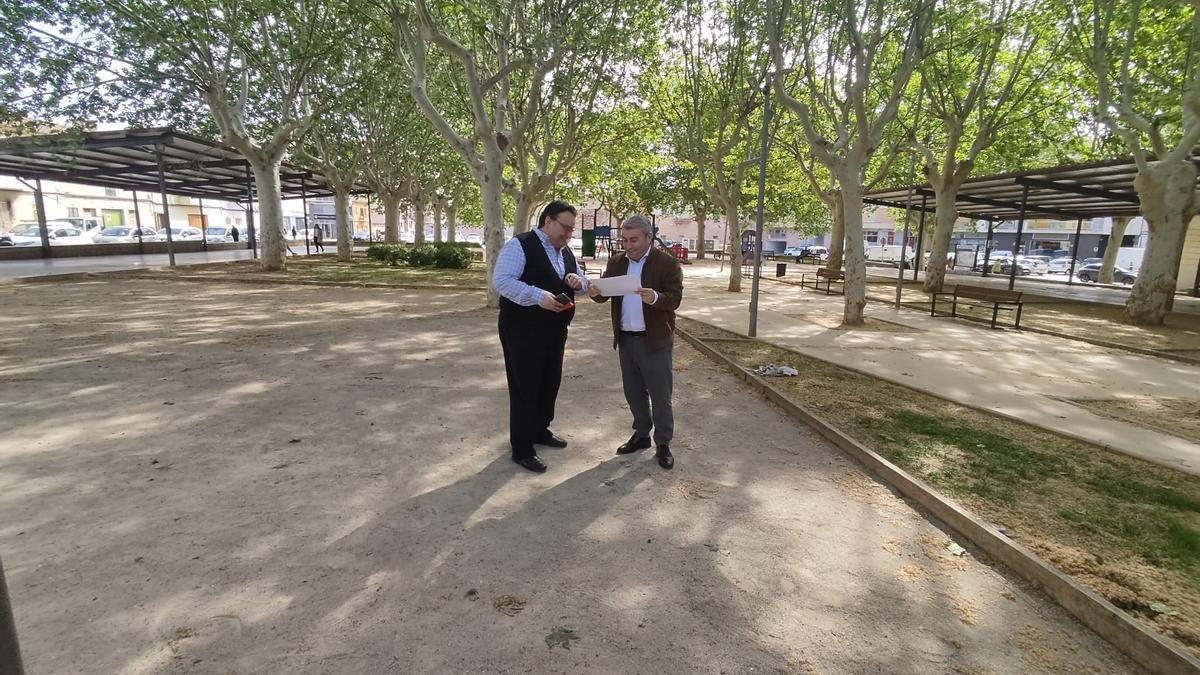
(646, 375)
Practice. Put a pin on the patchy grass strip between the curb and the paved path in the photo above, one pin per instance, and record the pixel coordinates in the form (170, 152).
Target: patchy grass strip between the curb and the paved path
(1127, 528)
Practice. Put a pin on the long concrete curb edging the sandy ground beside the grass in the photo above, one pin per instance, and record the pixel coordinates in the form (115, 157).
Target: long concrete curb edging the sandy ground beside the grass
(1145, 647)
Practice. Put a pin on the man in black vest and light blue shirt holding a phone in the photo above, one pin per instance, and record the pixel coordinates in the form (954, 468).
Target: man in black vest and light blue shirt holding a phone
(533, 270)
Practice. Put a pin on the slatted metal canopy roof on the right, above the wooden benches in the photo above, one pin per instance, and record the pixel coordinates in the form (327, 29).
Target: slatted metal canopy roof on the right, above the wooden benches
(1066, 193)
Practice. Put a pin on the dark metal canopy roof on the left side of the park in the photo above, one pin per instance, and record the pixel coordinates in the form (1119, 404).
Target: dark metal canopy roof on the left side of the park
(130, 160)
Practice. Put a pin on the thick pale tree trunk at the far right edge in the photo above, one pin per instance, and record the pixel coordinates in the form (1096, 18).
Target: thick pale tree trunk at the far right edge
(1167, 192)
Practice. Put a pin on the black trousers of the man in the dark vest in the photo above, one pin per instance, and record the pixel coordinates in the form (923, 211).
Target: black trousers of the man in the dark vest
(533, 362)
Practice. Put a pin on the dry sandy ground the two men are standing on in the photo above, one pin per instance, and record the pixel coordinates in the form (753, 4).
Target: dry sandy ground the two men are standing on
(223, 479)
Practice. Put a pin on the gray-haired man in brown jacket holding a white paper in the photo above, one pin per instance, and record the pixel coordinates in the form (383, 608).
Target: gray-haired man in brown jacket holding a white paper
(643, 331)
